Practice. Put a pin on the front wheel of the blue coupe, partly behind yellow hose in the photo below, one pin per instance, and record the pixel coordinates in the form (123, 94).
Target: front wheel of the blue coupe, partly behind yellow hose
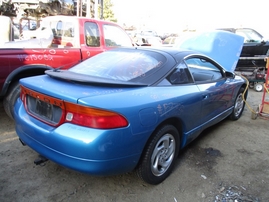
(239, 105)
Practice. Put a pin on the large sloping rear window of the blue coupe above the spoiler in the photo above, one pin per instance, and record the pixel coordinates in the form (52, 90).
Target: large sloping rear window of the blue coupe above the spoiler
(121, 65)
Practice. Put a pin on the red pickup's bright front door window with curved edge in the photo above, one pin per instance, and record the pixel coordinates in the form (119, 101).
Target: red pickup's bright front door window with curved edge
(115, 36)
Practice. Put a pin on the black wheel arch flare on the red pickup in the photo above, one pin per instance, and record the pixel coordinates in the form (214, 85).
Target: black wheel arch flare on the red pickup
(22, 72)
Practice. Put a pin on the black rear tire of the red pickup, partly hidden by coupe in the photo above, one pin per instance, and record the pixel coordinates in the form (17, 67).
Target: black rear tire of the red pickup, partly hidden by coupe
(9, 100)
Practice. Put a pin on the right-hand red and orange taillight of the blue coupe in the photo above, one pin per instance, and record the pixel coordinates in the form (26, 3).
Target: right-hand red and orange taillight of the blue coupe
(93, 117)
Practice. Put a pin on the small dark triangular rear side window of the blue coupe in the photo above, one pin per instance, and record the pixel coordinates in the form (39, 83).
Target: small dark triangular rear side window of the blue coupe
(180, 75)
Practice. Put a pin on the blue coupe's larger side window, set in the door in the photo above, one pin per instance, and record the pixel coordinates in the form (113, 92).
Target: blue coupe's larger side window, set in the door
(203, 70)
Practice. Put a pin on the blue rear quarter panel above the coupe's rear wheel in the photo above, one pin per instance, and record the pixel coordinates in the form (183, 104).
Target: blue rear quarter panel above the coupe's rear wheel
(146, 108)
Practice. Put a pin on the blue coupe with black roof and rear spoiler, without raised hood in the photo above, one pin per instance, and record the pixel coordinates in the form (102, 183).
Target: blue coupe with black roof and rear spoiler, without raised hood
(126, 109)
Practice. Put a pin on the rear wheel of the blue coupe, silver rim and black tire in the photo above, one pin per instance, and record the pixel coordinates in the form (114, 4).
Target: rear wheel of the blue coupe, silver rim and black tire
(159, 155)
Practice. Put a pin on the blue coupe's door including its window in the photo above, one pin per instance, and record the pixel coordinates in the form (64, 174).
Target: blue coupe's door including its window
(214, 89)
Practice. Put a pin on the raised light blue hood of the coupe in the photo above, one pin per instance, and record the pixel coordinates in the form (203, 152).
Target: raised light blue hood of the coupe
(222, 46)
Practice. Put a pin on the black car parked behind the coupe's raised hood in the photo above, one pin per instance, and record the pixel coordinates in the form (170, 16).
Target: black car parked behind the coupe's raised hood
(255, 48)
